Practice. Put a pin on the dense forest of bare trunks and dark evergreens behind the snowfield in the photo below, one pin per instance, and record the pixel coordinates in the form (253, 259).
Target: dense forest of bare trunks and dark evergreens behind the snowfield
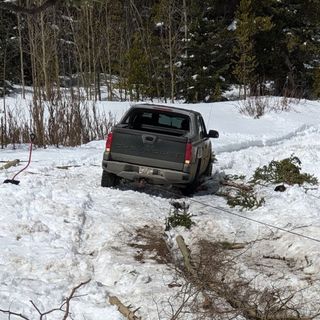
(171, 50)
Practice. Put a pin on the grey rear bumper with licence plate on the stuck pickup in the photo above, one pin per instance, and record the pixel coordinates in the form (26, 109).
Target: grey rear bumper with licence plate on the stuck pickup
(151, 175)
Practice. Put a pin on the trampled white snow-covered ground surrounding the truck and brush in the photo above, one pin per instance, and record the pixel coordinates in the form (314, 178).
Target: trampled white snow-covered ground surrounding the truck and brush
(59, 228)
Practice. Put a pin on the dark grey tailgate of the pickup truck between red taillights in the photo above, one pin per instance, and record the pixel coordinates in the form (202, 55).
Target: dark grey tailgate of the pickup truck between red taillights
(148, 149)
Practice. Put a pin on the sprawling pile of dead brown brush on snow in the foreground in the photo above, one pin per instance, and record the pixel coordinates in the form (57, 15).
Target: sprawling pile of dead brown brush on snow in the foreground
(211, 285)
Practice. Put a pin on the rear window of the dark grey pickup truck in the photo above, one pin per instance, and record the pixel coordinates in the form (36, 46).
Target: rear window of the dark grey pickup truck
(158, 121)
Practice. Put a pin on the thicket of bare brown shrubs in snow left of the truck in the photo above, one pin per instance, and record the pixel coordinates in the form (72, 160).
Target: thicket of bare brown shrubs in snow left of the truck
(63, 122)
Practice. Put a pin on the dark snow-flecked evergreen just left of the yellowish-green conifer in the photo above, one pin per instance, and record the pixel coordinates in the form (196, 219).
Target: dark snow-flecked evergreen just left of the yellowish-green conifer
(207, 63)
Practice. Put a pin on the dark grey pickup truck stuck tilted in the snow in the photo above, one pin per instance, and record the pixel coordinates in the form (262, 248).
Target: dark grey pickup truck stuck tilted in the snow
(160, 145)
